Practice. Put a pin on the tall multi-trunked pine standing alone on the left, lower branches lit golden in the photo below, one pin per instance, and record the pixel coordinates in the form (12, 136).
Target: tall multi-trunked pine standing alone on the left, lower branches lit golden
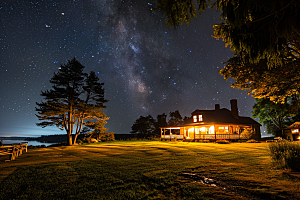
(74, 97)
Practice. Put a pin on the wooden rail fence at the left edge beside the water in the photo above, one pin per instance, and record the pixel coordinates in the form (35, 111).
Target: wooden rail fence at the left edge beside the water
(13, 150)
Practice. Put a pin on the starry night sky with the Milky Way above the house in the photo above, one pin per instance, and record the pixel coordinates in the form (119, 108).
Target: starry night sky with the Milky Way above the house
(146, 67)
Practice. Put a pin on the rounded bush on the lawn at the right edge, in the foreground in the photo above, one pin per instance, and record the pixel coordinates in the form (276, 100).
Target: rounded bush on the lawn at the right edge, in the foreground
(285, 154)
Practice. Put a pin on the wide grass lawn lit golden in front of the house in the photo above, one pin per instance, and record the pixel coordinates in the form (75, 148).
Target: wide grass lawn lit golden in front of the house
(146, 170)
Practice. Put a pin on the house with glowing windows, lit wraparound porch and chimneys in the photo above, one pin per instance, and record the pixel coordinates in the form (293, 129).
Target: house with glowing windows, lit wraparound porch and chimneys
(216, 124)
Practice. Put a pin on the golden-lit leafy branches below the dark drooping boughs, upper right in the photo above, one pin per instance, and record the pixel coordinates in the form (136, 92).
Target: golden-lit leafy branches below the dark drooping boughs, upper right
(263, 82)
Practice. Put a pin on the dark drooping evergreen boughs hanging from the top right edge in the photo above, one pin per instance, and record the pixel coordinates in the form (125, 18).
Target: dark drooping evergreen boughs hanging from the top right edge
(260, 29)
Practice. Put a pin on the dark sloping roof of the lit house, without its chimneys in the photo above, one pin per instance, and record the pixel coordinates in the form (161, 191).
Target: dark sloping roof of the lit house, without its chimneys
(221, 116)
